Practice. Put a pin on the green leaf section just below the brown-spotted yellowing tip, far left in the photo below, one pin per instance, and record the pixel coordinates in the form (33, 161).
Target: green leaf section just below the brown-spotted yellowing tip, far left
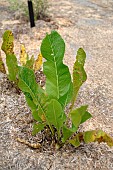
(12, 65)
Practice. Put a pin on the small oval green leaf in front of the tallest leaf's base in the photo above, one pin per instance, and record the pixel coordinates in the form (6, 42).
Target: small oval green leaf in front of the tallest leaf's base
(55, 114)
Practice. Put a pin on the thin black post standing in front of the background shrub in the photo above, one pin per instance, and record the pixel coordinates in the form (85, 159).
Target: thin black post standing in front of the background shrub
(31, 13)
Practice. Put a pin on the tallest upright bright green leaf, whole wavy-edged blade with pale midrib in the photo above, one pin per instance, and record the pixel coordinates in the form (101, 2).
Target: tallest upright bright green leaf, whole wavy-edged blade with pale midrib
(58, 77)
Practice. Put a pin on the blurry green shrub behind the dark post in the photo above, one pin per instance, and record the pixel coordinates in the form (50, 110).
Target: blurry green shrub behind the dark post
(40, 8)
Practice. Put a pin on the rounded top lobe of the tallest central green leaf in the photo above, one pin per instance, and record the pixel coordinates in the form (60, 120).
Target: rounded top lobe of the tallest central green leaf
(53, 47)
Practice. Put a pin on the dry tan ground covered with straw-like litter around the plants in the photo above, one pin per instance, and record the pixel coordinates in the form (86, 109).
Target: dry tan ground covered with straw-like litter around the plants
(87, 24)
